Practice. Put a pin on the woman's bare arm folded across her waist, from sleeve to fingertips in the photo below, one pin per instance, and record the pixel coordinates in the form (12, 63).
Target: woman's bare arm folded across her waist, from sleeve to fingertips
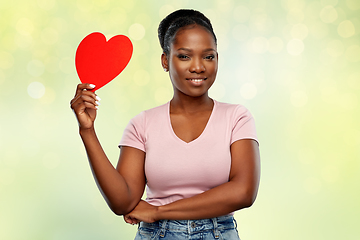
(239, 192)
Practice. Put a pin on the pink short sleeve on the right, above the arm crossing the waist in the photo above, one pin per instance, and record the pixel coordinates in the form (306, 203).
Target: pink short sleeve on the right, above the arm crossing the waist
(243, 125)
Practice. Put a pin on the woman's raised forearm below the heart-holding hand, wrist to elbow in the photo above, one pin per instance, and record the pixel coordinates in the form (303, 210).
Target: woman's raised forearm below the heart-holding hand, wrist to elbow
(111, 184)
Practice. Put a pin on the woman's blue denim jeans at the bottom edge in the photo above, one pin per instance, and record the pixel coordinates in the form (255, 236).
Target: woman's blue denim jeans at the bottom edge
(214, 228)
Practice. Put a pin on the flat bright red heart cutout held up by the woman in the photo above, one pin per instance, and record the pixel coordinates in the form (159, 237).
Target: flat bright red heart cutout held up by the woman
(99, 61)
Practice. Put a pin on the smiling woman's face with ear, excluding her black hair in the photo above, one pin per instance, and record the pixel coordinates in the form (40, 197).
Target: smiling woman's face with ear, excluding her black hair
(192, 61)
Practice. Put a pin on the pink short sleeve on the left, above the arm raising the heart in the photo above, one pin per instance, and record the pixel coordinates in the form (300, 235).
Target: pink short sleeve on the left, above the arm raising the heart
(134, 133)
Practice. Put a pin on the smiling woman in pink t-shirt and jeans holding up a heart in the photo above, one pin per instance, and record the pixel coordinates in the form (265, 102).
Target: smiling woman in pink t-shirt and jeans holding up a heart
(198, 158)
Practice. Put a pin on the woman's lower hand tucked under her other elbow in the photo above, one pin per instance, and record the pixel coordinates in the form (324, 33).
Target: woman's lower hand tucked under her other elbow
(143, 212)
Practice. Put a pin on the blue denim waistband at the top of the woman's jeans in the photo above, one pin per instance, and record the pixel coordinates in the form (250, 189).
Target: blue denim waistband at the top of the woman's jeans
(192, 226)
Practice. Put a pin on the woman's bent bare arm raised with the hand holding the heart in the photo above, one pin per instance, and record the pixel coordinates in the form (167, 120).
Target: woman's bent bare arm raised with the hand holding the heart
(122, 187)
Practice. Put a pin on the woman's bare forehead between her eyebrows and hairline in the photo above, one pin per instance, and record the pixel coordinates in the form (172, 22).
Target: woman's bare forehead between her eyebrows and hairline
(192, 36)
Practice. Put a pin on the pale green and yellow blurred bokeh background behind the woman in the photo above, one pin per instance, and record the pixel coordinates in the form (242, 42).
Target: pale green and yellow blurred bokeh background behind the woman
(294, 63)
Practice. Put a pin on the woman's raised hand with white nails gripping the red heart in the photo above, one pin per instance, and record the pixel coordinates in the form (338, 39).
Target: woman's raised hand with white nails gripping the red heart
(85, 104)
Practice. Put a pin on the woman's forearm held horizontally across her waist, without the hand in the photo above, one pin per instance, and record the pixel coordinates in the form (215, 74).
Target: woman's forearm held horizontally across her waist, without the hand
(215, 202)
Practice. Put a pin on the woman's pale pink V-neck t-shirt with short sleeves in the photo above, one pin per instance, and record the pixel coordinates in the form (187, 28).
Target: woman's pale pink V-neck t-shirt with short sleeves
(175, 169)
